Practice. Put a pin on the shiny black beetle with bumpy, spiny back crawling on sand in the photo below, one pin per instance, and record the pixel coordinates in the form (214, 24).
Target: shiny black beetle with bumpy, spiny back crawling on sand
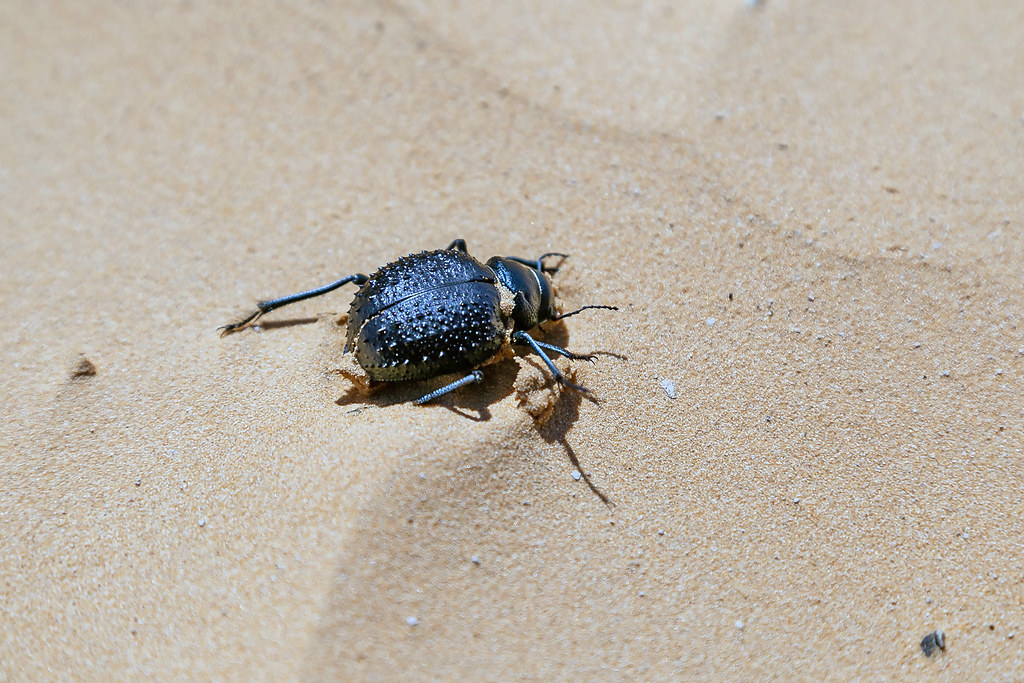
(441, 313)
